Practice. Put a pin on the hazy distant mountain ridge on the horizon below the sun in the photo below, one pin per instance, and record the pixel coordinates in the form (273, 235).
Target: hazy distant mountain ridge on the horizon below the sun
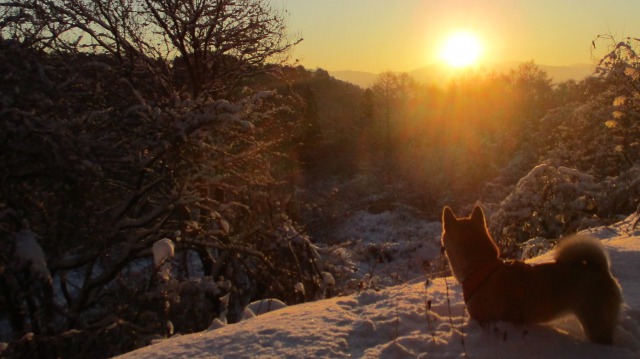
(439, 74)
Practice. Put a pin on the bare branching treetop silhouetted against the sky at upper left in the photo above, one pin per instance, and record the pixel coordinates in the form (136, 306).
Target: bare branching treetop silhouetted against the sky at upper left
(205, 46)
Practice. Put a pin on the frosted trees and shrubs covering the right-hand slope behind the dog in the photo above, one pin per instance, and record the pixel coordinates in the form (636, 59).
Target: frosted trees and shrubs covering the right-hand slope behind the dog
(586, 157)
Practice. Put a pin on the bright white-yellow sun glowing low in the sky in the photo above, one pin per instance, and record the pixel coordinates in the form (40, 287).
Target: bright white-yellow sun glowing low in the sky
(461, 49)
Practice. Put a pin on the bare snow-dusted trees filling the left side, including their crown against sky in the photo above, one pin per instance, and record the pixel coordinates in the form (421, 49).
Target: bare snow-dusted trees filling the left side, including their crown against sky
(105, 155)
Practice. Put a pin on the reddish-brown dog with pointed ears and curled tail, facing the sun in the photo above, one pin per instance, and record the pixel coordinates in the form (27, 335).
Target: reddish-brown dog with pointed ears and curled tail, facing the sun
(578, 282)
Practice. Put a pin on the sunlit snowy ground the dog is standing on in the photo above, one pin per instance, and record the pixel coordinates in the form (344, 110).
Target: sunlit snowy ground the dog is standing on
(417, 320)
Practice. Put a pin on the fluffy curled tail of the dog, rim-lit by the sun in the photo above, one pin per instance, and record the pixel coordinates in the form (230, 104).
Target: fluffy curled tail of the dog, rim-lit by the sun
(583, 250)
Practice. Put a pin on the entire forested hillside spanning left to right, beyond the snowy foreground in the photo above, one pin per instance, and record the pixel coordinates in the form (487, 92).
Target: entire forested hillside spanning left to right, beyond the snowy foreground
(159, 172)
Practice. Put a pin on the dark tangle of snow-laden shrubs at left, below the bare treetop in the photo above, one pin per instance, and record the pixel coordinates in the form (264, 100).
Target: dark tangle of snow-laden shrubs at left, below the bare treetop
(105, 166)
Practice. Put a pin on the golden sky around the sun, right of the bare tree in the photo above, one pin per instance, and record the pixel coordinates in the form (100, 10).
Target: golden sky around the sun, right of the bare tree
(404, 35)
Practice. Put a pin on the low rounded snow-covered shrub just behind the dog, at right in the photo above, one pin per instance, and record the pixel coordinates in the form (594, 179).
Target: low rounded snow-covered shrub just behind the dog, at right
(550, 202)
